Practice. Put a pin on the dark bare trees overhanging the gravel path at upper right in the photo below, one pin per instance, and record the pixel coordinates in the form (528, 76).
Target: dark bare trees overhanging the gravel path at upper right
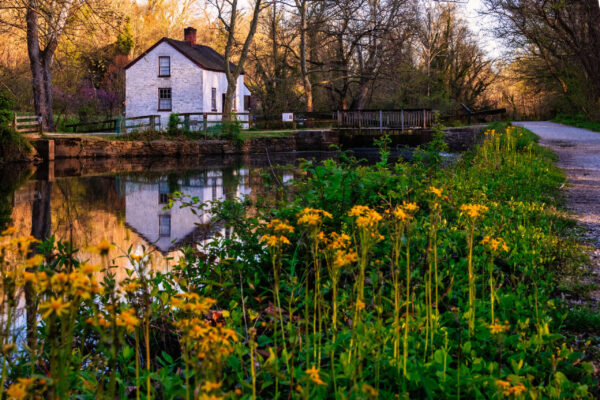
(556, 49)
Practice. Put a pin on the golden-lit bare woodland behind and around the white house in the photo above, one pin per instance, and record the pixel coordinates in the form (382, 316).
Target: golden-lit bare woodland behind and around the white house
(313, 55)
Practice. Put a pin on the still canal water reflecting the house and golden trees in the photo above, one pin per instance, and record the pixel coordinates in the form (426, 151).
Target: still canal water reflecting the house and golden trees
(86, 201)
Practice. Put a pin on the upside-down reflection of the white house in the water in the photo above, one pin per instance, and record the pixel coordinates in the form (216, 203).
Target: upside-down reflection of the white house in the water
(169, 229)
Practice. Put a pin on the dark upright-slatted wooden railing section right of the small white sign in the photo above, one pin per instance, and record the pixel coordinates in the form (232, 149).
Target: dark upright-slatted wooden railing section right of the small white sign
(385, 120)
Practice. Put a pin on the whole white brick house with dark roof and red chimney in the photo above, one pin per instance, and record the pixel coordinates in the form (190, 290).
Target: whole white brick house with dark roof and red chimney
(175, 76)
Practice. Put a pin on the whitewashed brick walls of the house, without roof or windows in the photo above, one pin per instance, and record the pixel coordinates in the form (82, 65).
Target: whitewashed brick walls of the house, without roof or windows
(191, 86)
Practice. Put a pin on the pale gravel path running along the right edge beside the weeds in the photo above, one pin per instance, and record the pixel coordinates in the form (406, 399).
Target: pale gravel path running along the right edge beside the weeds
(578, 151)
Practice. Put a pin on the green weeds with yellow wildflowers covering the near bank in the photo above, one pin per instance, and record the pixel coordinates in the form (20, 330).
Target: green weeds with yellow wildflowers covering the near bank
(403, 281)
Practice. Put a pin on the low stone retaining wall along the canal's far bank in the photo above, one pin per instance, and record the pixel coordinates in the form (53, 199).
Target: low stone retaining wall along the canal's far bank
(54, 147)
